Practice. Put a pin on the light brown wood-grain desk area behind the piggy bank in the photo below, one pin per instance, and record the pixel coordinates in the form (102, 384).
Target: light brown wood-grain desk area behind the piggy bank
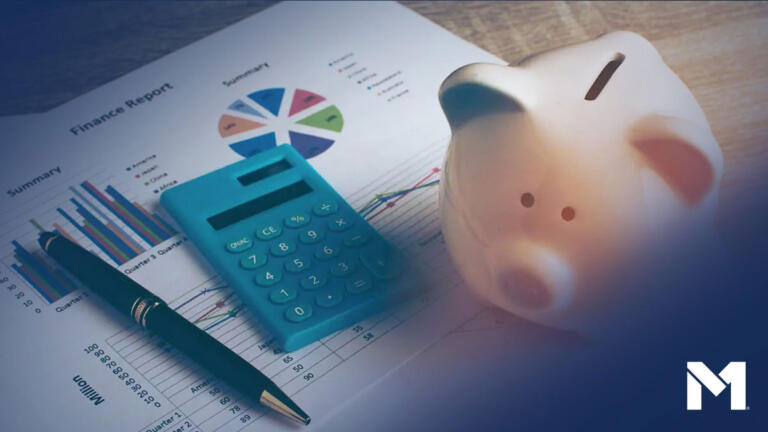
(719, 49)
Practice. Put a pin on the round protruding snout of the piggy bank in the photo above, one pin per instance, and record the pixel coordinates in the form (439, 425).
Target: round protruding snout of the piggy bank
(535, 278)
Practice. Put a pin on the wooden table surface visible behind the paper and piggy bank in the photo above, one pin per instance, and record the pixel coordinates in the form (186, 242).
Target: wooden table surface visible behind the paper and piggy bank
(719, 49)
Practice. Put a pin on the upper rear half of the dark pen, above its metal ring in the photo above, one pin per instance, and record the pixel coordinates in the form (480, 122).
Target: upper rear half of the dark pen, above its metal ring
(109, 283)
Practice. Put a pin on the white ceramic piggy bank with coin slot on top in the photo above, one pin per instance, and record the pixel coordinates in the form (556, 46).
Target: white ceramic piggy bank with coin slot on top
(565, 167)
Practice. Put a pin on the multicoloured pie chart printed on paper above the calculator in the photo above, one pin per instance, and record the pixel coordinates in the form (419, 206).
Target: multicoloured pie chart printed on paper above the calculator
(268, 117)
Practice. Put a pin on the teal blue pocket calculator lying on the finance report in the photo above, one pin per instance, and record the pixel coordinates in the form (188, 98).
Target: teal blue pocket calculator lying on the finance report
(300, 258)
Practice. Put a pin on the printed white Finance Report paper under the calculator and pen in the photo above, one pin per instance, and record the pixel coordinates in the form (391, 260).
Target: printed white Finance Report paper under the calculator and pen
(352, 86)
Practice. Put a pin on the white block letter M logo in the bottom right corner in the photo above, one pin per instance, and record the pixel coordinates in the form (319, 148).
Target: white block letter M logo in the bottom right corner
(734, 374)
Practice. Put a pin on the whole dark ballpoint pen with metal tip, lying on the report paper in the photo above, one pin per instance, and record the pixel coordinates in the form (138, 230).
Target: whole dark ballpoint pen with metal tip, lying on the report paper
(154, 315)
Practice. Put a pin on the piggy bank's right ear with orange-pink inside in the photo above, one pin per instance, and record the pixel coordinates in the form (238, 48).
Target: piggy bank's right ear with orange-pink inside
(685, 155)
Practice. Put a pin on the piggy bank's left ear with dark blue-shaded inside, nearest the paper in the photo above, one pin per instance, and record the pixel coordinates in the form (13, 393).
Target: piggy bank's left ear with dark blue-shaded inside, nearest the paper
(479, 89)
